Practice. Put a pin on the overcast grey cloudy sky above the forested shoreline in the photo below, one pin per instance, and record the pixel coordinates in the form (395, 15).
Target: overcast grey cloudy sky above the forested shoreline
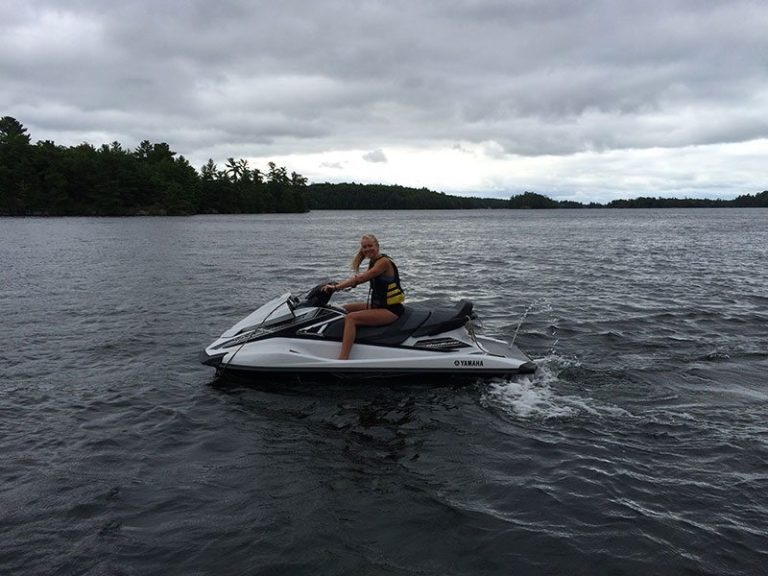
(575, 99)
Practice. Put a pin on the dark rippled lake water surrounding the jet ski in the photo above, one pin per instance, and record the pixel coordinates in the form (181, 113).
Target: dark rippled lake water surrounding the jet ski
(639, 447)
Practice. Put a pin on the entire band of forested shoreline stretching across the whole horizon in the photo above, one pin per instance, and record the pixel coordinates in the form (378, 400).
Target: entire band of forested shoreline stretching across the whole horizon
(45, 179)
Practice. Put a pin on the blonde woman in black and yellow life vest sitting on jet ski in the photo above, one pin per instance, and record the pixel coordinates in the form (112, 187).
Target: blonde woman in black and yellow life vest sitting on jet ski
(386, 294)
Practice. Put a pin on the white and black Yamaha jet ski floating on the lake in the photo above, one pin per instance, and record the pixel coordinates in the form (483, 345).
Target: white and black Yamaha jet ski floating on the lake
(300, 335)
